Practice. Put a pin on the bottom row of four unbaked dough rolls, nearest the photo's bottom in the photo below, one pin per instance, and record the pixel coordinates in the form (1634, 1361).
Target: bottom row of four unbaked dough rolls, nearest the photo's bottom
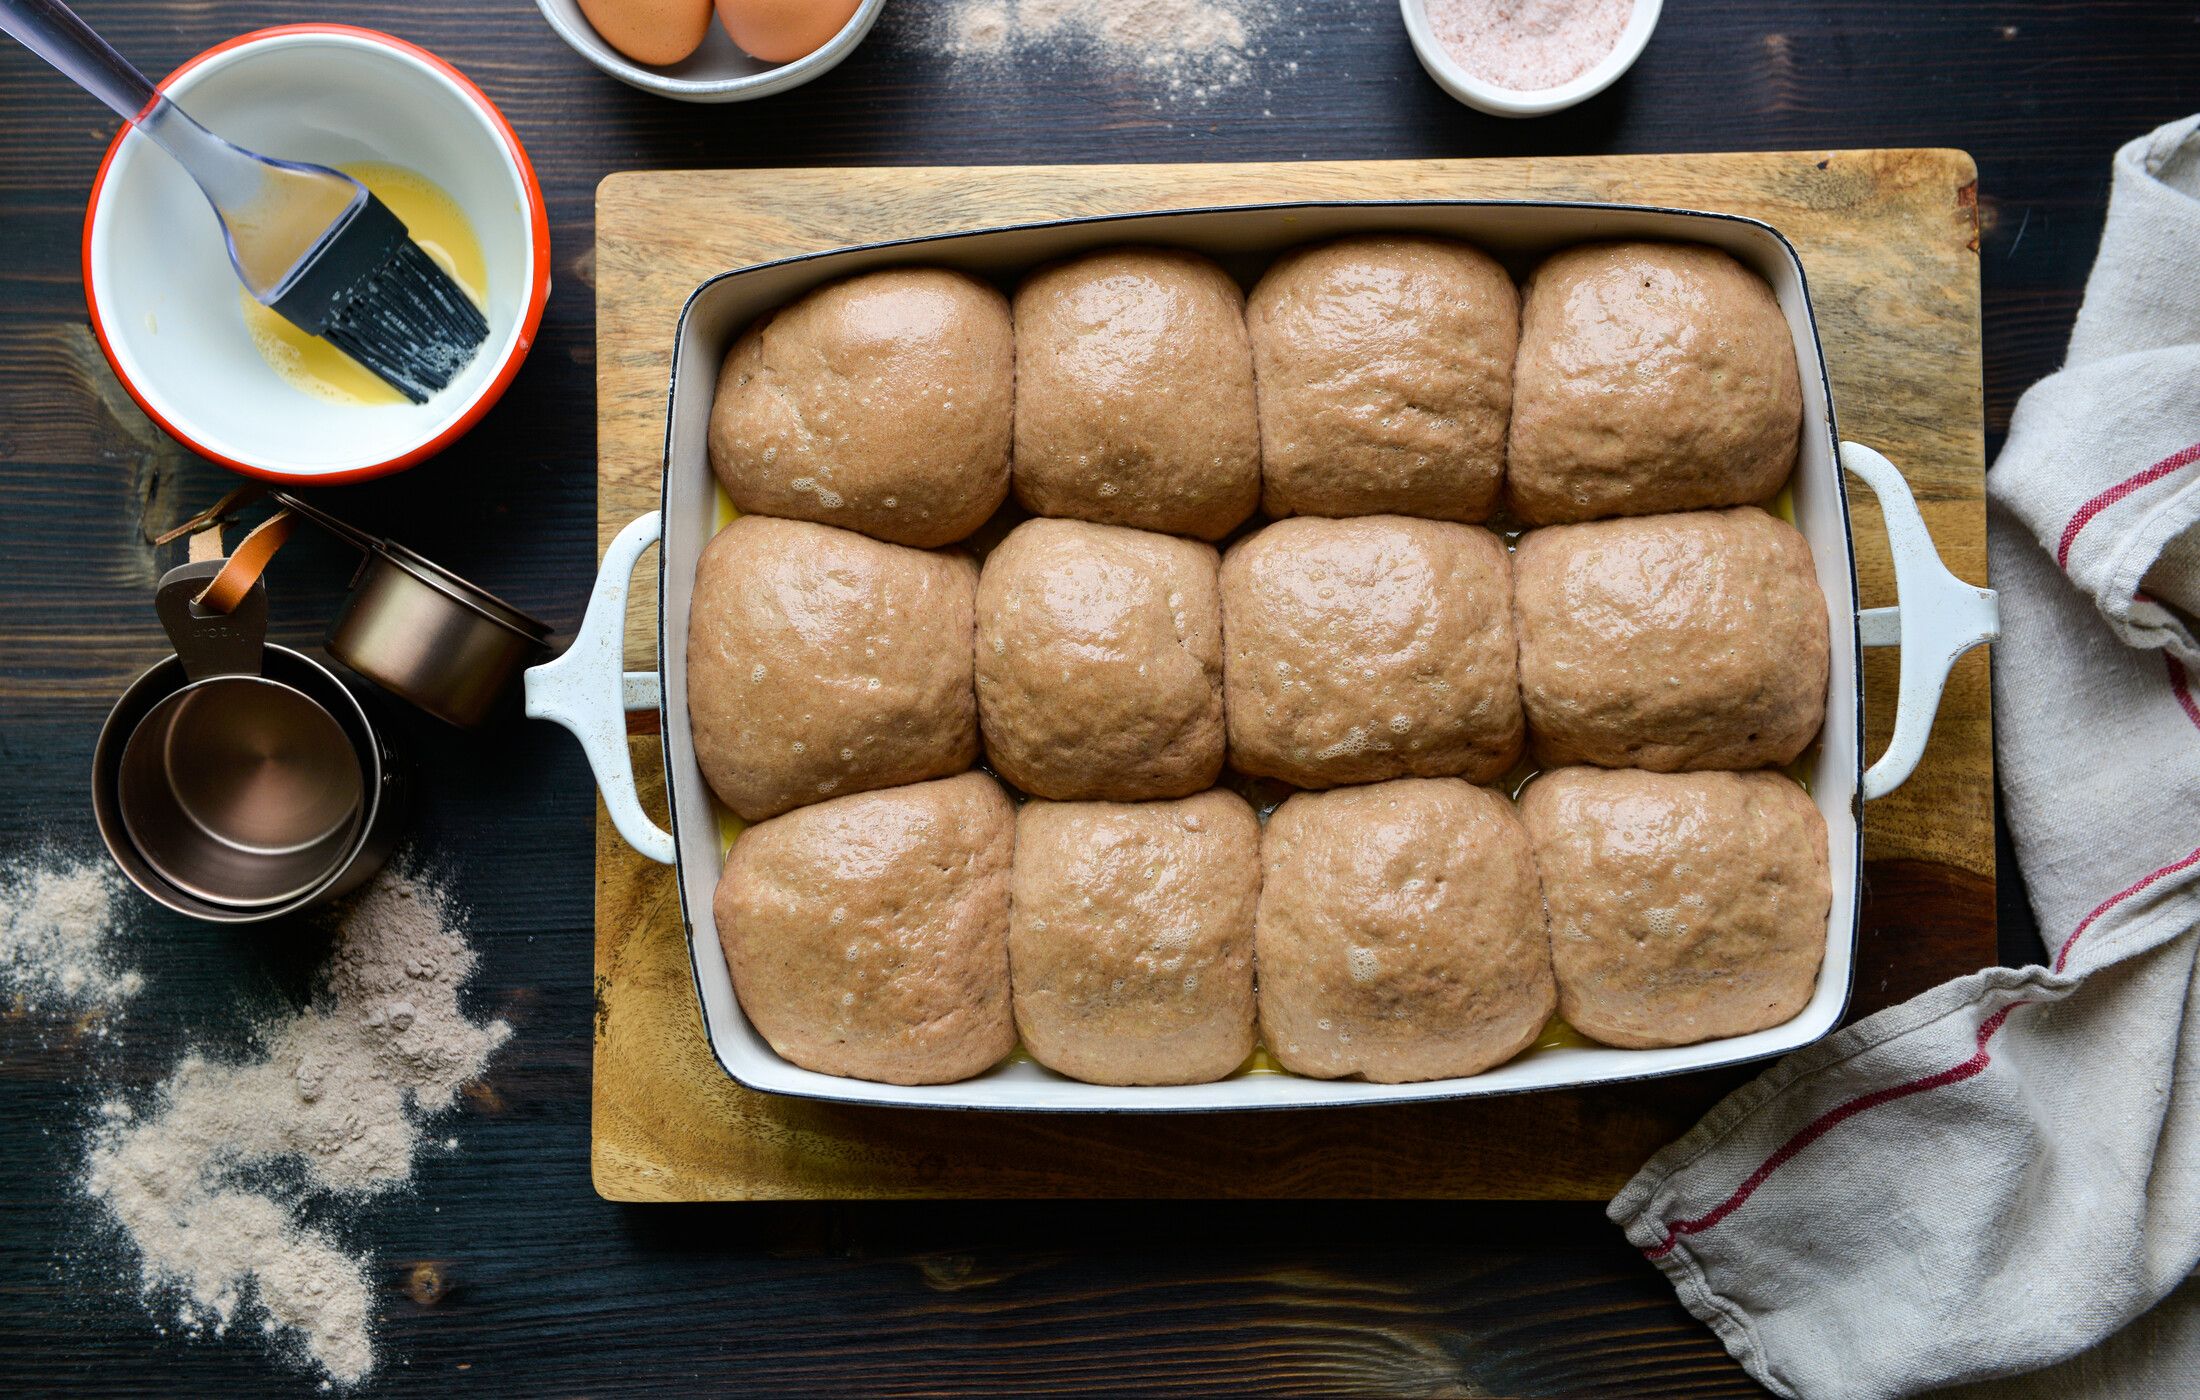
(1398, 932)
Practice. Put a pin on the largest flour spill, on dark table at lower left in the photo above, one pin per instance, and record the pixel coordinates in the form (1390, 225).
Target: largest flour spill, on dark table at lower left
(208, 1181)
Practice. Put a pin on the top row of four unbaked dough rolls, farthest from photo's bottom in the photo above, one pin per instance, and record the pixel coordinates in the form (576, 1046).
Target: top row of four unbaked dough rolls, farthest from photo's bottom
(1374, 375)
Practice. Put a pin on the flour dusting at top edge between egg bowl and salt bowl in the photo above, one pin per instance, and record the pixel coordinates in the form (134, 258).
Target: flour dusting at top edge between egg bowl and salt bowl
(1189, 50)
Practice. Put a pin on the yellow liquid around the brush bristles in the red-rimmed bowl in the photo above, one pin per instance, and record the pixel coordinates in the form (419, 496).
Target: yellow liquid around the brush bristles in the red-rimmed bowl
(439, 226)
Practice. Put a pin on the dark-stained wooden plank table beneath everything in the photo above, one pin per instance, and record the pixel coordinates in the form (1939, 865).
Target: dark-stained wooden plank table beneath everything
(503, 1271)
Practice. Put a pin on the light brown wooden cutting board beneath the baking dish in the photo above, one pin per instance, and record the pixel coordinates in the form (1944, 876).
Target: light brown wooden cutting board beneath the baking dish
(1891, 248)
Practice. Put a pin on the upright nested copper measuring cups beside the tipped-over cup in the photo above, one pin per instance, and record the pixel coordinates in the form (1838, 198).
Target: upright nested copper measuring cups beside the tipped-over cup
(241, 780)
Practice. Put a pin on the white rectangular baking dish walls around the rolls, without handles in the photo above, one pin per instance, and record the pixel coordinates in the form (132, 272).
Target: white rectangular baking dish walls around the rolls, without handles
(1244, 241)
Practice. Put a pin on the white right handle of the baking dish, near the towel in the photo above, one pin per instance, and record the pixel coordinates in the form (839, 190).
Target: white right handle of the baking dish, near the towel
(1939, 620)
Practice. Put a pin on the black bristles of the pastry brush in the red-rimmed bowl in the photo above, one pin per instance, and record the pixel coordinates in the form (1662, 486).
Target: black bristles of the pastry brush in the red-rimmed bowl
(373, 294)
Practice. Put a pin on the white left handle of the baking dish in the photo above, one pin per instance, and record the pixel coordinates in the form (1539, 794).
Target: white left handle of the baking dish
(591, 692)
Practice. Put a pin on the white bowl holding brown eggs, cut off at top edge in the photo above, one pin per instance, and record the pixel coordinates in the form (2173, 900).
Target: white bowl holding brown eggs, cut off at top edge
(714, 52)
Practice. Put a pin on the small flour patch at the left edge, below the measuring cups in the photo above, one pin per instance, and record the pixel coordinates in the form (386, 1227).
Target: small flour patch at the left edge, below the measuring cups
(56, 932)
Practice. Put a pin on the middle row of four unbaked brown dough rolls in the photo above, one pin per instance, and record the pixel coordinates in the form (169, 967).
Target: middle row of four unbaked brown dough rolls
(1103, 664)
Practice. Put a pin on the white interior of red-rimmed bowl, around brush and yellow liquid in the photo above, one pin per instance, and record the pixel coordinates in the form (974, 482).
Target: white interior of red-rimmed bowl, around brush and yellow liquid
(168, 296)
